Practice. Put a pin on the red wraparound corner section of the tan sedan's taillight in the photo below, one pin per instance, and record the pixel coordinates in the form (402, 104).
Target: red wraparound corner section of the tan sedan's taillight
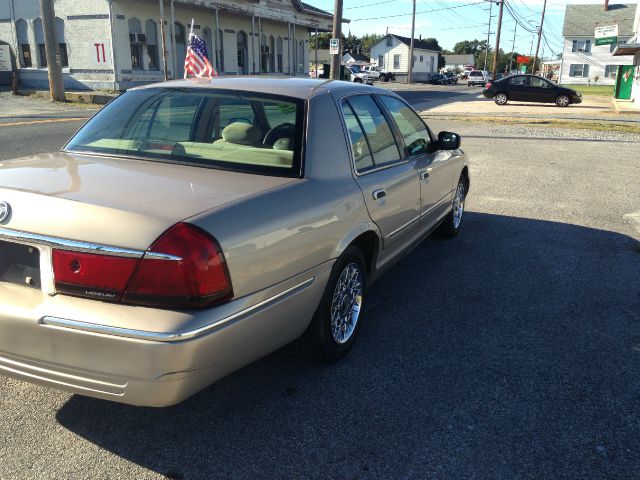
(195, 274)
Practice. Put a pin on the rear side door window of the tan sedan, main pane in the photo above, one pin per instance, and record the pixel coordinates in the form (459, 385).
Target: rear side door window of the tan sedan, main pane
(381, 141)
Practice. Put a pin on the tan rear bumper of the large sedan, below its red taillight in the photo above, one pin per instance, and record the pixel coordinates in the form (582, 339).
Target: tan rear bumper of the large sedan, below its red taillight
(86, 355)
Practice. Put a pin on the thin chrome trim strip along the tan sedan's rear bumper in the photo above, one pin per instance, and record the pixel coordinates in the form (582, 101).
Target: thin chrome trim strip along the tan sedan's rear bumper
(56, 322)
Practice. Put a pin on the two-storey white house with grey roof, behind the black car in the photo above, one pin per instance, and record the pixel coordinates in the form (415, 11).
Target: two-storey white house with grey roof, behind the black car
(582, 60)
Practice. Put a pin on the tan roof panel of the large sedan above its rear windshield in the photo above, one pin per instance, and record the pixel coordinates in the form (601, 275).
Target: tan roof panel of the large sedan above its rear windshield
(296, 87)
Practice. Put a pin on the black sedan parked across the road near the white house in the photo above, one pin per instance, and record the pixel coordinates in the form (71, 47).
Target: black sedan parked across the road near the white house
(530, 88)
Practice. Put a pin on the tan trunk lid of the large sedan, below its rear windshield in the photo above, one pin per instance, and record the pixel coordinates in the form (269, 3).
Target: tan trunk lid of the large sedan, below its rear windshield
(113, 201)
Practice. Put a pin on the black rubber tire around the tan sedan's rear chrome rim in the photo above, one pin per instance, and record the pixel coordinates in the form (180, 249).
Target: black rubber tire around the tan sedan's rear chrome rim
(318, 342)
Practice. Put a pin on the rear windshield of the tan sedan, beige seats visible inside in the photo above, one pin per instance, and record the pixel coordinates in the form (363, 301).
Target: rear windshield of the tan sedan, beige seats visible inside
(224, 129)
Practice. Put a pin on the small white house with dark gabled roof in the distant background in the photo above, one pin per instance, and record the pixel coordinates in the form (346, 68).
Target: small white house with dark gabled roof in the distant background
(391, 54)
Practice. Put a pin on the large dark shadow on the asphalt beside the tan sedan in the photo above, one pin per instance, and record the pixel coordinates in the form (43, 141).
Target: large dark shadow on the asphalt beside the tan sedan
(510, 351)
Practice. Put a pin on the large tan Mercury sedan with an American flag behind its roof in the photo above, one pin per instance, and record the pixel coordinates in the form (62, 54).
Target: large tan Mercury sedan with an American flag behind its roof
(192, 227)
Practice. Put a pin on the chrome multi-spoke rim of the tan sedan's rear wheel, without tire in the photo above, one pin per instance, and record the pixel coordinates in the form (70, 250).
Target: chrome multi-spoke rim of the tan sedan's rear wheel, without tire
(346, 303)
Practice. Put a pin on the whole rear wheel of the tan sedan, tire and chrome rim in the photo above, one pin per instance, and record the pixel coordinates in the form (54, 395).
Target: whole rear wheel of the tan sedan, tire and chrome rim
(336, 323)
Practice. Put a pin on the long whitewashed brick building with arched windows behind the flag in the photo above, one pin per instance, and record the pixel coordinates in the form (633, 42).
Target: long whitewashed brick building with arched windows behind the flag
(115, 44)
